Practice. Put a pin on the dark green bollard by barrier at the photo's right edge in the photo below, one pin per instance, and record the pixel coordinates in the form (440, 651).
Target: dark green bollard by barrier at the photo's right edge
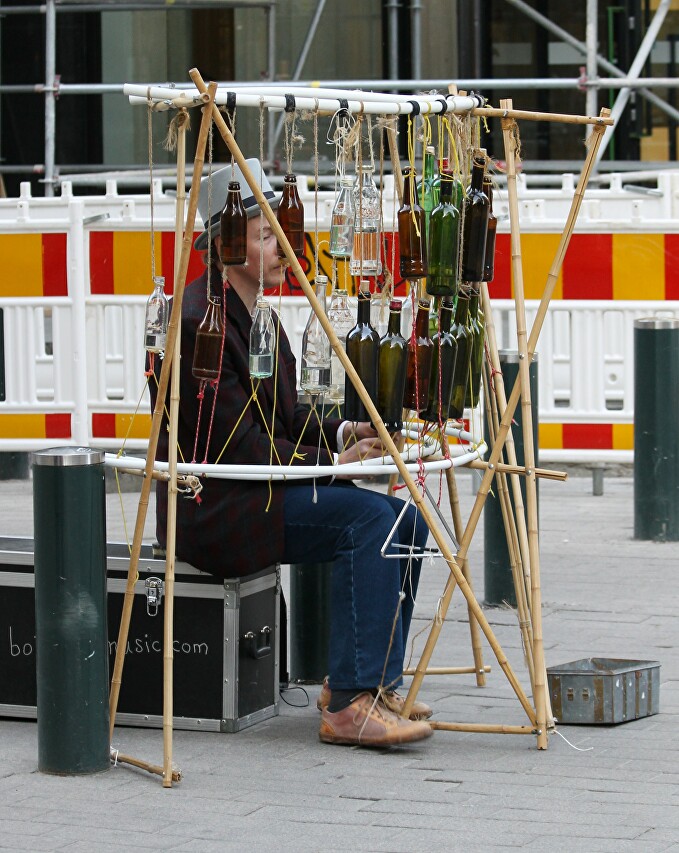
(656, 429)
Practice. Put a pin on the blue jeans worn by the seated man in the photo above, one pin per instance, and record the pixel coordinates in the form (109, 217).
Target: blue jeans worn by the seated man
(348, 526)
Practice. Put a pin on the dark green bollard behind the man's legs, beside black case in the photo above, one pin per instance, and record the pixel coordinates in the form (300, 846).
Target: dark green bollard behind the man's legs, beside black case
(309, 621)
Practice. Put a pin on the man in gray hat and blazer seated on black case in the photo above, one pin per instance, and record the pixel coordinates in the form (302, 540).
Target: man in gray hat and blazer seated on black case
(237, 527)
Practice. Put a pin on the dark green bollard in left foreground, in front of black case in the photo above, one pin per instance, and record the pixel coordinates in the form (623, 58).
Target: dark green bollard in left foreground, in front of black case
(69, 509)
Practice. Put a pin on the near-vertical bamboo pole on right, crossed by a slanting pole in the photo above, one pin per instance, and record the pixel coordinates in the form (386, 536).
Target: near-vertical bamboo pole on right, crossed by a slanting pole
(540, 686)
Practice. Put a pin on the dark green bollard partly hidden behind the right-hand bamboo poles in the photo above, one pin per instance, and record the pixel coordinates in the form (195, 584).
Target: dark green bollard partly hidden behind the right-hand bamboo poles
(497, 570)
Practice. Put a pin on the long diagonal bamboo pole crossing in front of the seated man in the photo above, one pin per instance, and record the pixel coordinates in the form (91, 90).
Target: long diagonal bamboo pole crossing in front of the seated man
(375, 418)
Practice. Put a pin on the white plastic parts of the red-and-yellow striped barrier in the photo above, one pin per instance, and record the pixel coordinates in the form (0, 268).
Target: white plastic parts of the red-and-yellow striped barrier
(82, 353)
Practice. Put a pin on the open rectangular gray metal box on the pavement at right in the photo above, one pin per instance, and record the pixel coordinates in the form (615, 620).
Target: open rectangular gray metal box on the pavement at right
(595, 691)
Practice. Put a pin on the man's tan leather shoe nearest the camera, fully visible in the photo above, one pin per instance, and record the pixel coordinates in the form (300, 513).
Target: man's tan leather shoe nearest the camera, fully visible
(367, 722)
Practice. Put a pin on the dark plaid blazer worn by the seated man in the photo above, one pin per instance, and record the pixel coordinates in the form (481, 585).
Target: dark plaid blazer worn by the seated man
(236, 527)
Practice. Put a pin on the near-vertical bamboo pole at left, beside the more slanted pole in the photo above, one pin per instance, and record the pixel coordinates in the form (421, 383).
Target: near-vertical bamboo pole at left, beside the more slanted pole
(168, 651)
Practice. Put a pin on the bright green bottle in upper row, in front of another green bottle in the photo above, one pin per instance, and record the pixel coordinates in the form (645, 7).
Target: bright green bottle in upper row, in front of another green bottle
(444, 243)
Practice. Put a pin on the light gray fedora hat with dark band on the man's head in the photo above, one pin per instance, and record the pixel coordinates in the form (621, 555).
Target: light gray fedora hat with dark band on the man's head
(211, 199)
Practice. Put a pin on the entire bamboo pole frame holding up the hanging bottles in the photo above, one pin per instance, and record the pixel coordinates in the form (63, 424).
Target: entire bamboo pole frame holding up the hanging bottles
(536, 712)
